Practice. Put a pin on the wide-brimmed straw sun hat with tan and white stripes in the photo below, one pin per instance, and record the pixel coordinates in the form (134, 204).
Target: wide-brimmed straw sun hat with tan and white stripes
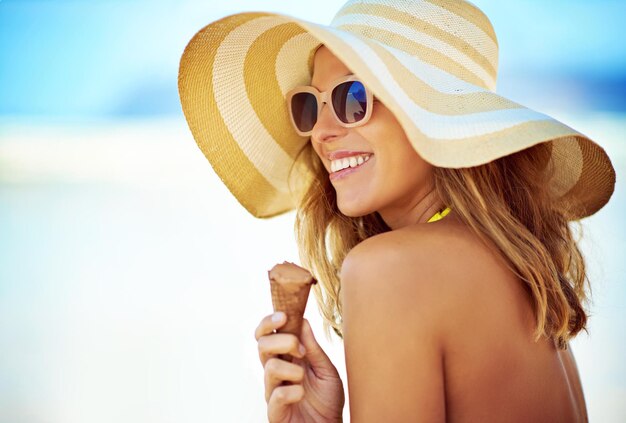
(433, 63)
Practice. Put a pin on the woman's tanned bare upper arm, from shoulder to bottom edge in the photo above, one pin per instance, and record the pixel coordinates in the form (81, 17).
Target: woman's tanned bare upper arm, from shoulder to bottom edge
(392, 335)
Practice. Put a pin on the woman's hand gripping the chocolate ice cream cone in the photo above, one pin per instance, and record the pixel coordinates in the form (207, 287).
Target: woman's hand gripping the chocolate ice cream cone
(314, 392)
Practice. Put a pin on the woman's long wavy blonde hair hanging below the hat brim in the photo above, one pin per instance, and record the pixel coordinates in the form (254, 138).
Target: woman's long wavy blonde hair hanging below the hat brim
(506, 201)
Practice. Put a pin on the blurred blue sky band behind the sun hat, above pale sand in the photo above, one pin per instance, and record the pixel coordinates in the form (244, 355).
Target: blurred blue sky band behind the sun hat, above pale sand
(120, 58)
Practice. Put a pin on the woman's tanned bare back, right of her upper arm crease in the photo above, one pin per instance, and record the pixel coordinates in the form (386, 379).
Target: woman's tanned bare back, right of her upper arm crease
(493, 368)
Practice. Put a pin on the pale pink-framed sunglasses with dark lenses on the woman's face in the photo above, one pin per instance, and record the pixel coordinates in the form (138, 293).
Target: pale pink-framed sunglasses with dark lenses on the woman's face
(350, 103)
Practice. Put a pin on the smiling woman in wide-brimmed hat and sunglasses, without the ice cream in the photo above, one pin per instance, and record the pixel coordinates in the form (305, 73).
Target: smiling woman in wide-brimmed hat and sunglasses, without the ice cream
(433, 212)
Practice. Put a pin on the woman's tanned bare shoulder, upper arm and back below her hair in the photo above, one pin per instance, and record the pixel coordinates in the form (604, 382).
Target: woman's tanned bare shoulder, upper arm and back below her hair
(433, 314)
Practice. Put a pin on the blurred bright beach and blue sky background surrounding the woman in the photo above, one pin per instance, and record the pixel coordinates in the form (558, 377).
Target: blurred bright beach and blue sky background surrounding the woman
(131, 281)
